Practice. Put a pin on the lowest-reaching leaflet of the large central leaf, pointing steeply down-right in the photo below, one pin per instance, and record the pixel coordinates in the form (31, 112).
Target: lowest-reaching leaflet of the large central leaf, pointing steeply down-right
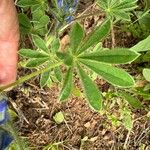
(92, 92)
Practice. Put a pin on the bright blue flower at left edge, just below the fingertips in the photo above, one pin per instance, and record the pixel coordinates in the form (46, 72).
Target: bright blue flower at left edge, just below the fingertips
(3, 111)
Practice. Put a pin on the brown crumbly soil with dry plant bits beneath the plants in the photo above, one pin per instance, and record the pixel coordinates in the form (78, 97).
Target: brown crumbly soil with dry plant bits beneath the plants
(36, 108)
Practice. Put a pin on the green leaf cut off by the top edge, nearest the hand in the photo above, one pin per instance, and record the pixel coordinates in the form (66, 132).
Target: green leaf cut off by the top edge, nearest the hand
(27, 3)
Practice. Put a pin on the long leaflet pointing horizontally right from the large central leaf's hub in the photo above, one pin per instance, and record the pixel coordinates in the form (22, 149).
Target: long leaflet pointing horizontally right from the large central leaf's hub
(114, 56)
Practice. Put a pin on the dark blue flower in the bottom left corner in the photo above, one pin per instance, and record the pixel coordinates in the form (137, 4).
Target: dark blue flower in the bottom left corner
(5, 139)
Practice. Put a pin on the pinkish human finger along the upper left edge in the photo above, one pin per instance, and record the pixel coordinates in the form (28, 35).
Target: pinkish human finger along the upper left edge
(9, 42)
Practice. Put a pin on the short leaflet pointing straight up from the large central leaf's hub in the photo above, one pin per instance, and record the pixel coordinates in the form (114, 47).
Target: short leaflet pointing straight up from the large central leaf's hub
(76, 36)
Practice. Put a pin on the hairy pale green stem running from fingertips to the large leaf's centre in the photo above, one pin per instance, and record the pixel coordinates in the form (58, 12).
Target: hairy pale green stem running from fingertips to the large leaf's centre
(27, 77)
